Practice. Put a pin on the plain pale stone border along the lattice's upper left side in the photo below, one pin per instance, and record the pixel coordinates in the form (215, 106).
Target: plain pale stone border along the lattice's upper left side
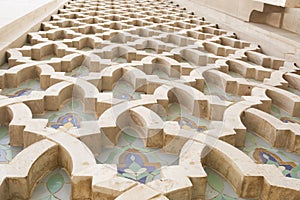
(27, 16)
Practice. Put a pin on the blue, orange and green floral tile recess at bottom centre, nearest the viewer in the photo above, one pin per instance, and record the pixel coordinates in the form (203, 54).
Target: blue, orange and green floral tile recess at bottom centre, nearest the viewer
(134, 160)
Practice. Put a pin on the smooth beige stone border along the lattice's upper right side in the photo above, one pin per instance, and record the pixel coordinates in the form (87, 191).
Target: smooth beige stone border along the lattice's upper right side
(285, 43)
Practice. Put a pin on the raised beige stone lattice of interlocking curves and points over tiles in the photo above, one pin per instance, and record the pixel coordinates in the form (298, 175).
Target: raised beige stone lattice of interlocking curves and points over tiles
(127, 63)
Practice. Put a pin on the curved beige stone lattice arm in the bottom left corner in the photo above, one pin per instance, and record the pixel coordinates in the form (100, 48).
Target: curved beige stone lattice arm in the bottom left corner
(27, 168)
